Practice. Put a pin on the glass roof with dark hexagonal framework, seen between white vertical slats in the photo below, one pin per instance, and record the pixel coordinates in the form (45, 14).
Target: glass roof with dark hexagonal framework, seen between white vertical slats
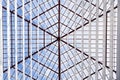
(74, 17)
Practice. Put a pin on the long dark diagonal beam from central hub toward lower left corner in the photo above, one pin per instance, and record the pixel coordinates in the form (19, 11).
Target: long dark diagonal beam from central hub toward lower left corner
(30, 56)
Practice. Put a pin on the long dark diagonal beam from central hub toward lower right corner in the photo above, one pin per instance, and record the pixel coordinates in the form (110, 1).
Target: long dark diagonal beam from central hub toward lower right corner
(85, 54)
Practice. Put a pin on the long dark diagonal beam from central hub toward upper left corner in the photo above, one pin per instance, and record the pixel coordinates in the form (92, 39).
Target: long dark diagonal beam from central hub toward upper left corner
(32, 23)
